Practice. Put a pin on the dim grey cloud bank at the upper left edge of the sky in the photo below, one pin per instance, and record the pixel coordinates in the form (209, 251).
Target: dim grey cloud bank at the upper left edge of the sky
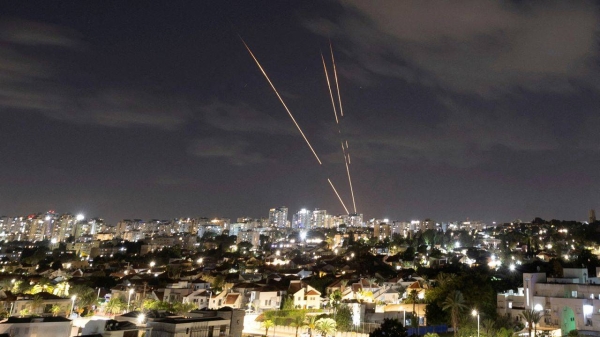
(34, 78)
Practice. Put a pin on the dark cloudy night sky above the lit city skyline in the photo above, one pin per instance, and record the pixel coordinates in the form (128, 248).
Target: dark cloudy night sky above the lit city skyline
(475, 109)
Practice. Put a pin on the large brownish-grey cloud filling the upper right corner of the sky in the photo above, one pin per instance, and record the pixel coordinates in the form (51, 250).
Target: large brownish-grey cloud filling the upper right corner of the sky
(472, 46)
